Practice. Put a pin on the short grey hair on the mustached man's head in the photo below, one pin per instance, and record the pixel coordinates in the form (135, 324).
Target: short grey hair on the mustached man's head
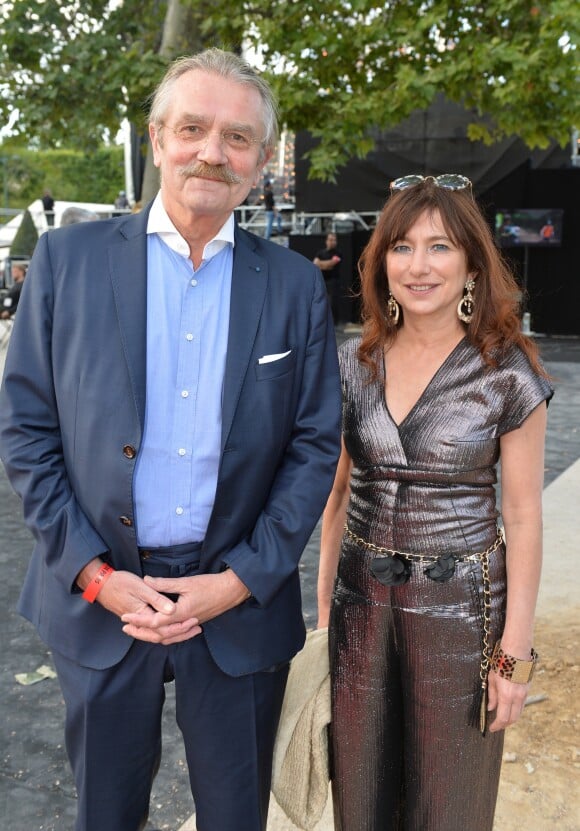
(227, 65)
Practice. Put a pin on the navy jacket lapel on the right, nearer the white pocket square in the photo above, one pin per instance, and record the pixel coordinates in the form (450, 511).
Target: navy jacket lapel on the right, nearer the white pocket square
(249, 283)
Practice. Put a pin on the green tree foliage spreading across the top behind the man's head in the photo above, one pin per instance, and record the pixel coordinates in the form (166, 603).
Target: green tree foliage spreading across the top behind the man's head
(339, 67)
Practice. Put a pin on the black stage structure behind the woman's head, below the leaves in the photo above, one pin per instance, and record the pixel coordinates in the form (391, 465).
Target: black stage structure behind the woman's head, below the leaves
(506, 176)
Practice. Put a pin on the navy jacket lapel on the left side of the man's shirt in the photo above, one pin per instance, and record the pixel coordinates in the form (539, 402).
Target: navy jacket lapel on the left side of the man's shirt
(128, 269)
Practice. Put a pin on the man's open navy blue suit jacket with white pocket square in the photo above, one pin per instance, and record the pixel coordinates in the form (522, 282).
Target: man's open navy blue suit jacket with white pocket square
(73, 404)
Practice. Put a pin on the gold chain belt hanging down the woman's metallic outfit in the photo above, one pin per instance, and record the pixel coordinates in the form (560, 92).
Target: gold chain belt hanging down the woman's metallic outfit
(479, 556)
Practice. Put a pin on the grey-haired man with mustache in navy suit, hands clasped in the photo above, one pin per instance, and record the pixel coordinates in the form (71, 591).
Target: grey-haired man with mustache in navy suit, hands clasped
(170, 417)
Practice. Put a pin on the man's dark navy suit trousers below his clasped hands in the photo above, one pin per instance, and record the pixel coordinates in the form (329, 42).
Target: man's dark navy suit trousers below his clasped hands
(113, 730)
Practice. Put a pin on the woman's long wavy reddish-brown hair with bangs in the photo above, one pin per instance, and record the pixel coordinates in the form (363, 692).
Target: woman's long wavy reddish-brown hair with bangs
(495, 324)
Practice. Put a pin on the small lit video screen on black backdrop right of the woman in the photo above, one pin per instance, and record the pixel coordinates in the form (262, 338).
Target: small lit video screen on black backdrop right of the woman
(518, 227)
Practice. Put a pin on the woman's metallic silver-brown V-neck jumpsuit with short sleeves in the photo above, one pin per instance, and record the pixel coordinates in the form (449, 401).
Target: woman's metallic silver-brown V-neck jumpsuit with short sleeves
(405, 659)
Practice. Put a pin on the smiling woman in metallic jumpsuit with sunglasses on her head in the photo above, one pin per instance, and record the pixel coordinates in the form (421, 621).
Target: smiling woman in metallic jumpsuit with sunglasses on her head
(429, 592)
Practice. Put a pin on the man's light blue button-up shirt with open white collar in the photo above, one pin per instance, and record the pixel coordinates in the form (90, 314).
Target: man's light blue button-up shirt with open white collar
(187, 333)
